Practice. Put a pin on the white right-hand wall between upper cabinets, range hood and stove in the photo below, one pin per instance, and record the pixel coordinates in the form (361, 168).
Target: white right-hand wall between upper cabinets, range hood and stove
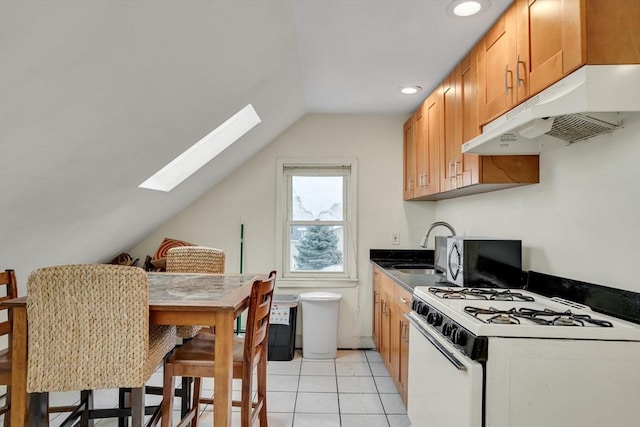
(582, 221)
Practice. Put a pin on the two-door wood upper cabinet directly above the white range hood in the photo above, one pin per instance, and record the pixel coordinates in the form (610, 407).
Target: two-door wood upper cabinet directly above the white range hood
(538, 42)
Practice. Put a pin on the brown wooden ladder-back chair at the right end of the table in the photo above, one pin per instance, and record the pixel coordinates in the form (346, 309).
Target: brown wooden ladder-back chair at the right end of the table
(196, 359)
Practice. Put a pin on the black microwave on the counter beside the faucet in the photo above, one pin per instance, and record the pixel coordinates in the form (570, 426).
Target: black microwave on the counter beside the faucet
(484, 262)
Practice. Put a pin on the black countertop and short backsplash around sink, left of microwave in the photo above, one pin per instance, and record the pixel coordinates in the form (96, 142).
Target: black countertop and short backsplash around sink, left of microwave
(386, 259)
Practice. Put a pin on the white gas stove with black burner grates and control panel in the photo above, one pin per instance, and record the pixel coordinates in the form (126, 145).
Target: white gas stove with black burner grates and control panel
(512, 358)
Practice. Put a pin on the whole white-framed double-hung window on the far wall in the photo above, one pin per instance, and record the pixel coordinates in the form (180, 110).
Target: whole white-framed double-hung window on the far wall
(318, 233)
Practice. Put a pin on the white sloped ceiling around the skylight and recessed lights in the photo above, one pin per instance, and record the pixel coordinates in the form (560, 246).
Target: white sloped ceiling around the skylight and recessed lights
(96, 96)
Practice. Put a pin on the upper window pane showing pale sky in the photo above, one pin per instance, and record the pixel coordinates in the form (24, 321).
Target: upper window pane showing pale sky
(316, 198)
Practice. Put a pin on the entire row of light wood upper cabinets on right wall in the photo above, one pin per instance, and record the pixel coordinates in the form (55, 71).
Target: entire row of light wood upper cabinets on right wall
(533, 45)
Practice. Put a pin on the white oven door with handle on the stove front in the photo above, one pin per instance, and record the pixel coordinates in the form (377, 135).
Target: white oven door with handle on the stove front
(442, 392)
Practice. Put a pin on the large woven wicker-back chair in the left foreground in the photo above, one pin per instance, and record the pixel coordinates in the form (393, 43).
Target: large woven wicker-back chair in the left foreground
(89, 329)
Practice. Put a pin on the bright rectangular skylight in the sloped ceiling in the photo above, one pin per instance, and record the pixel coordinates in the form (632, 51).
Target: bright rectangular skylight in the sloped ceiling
(203, 151)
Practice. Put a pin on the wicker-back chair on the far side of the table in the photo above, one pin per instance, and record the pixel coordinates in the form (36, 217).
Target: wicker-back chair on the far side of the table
(194, 259)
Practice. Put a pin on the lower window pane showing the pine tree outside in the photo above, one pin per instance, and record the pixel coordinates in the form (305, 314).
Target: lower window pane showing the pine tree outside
(317, 248)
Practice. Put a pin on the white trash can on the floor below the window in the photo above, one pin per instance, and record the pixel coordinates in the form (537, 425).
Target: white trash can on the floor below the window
(320, 312)
